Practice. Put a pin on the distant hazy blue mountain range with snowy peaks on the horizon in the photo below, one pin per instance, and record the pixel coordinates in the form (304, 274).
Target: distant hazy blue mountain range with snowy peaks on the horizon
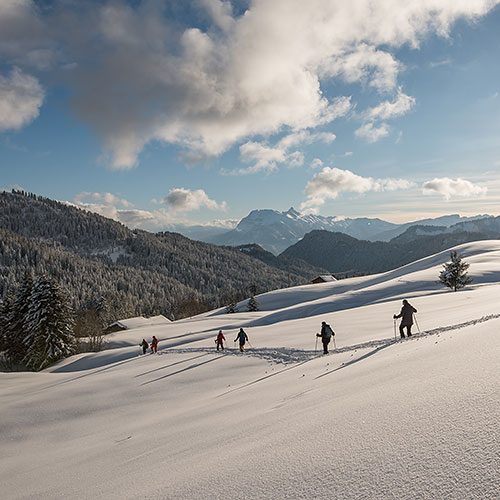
(276, 231)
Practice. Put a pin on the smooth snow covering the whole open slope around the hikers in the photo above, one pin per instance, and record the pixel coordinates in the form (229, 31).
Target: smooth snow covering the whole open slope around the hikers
(375, 419)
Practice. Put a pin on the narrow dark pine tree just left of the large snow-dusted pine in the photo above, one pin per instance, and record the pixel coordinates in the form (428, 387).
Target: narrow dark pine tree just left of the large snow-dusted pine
(16, 328)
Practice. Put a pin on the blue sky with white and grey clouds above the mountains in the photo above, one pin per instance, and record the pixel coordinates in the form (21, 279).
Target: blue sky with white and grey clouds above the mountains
(158, 113)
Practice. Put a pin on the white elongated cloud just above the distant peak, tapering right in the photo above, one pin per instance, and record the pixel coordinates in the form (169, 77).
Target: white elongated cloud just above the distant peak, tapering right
(331, 182)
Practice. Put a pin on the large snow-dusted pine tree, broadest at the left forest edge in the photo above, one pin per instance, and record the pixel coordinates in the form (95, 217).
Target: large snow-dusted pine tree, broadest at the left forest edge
(49, 323)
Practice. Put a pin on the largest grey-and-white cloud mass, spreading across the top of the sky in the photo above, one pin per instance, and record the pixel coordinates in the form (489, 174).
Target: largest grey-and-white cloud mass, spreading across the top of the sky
(137, 77)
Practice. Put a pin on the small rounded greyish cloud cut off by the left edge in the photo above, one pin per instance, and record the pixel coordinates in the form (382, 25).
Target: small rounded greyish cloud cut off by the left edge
(21, 97)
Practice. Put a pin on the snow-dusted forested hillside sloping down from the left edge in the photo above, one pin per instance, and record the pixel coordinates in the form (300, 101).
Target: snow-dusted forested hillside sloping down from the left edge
(138, 272)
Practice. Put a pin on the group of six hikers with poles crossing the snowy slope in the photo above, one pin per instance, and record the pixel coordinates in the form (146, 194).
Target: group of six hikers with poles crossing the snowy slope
(326, 334)
